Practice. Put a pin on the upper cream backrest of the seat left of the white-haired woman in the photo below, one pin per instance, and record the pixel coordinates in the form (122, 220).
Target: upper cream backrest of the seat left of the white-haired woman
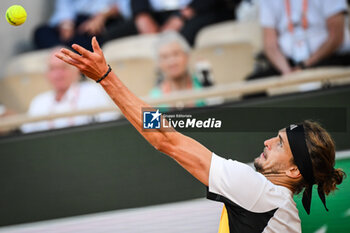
(133, 46)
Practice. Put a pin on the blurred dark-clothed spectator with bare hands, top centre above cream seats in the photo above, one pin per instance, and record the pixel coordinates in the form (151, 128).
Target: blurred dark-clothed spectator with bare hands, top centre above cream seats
(184, 16)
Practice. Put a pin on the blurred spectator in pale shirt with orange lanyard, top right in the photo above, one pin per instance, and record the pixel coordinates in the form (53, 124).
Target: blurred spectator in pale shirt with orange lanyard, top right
(303, 33)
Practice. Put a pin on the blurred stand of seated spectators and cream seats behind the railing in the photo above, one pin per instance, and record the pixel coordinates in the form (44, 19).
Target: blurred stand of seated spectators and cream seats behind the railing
(162, 47)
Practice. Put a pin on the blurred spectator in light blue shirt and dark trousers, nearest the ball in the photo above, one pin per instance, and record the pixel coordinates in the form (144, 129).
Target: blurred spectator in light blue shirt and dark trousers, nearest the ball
(76, 21)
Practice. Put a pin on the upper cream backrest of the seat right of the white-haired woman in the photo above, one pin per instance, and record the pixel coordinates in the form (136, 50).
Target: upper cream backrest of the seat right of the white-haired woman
(231, 31)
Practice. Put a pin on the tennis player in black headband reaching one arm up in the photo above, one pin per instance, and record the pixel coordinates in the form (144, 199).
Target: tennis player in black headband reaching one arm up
(299, 157)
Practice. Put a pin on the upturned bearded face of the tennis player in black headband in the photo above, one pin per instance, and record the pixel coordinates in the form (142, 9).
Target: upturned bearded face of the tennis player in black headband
(276, 157)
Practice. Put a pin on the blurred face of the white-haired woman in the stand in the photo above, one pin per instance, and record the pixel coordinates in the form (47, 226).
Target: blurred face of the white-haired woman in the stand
(172, 60)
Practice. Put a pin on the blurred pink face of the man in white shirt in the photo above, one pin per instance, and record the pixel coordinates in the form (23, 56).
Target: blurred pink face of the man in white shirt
(61, 75)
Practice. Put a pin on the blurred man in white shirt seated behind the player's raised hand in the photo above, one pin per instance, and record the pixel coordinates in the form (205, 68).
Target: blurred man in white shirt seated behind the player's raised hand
(68, 94)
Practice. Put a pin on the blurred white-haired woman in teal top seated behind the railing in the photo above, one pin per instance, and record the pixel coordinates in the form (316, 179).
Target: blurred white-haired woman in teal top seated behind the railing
(172, 55)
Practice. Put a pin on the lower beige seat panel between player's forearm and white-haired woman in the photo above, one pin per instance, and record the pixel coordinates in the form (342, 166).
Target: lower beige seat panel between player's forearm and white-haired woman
(138, 74)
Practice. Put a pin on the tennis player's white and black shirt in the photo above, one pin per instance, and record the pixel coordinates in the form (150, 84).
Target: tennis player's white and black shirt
(253, 203)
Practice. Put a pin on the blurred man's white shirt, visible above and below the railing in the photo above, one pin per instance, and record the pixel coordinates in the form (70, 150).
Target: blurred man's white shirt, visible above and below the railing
(79, 96)
